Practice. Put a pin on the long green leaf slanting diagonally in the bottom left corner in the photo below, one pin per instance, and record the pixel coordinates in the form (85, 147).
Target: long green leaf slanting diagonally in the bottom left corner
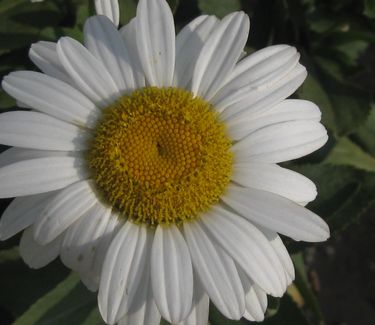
(68, 303)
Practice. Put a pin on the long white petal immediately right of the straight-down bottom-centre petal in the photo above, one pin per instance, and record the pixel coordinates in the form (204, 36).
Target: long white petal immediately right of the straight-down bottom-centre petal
(217, 272)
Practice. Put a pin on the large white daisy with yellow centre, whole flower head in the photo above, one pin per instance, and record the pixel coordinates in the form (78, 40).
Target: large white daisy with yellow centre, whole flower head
(148, 163)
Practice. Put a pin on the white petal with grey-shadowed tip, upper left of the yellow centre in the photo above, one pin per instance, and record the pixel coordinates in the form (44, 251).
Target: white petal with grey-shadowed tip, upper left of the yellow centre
(105, 43)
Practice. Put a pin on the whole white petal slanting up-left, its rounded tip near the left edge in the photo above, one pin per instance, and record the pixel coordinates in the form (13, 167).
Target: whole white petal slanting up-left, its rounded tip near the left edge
(51, 96)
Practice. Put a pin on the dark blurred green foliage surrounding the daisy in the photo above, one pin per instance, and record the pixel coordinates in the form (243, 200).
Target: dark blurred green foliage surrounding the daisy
(335, 280)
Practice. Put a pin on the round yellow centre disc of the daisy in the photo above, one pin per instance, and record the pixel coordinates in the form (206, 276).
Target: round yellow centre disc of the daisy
(160, 156)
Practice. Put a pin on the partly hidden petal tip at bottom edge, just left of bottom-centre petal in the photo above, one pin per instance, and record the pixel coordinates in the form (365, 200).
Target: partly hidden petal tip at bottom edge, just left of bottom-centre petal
(147, 313)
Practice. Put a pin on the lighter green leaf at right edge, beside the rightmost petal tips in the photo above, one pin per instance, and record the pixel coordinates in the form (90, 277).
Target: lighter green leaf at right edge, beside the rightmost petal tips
(346, 152)
